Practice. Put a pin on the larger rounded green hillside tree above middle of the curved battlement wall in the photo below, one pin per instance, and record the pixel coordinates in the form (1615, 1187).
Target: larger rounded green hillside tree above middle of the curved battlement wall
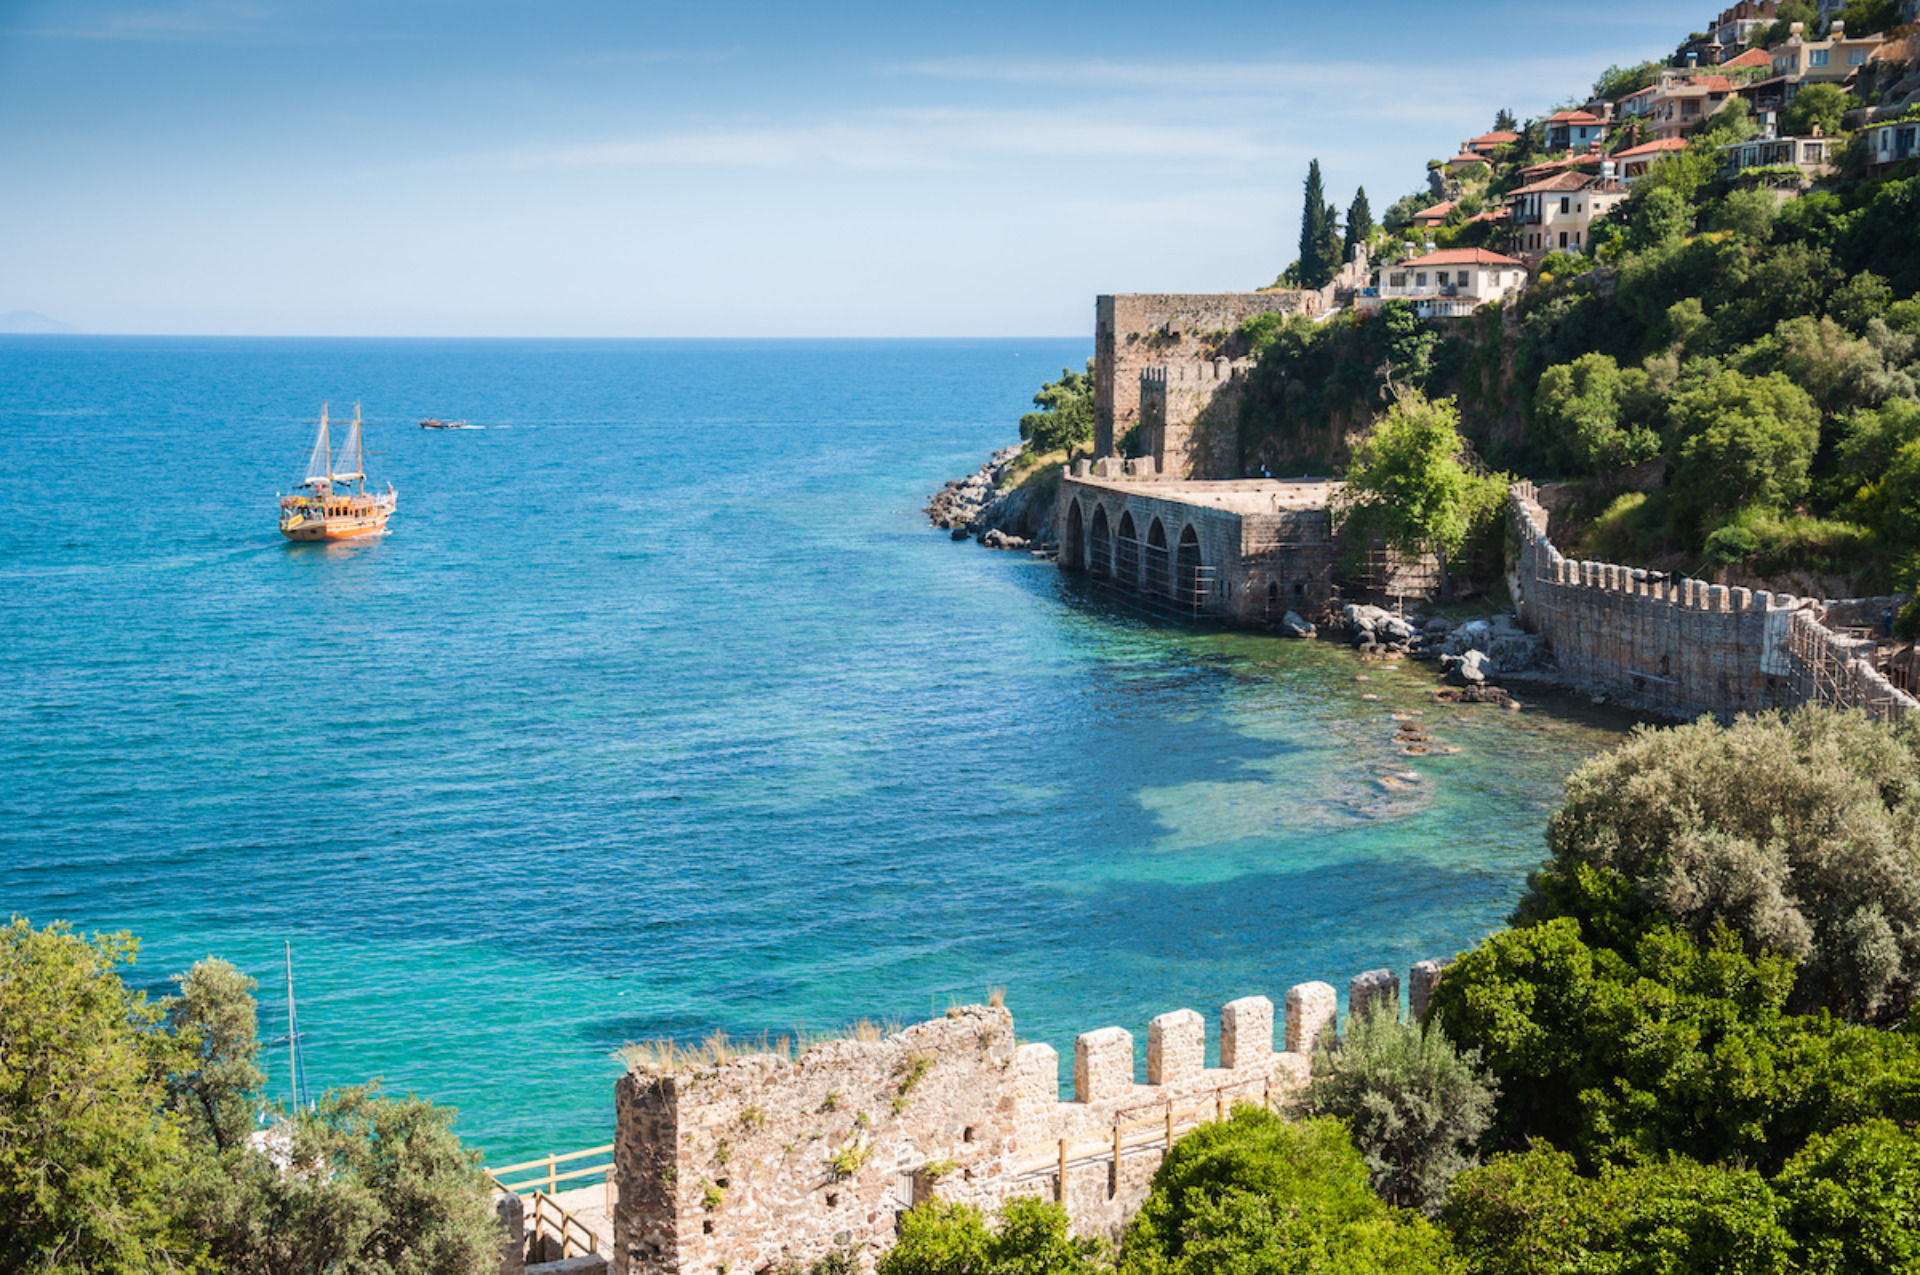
(1742, 443)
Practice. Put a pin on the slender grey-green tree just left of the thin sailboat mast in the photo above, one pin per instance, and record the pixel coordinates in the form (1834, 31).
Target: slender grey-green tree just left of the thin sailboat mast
(218, 1088)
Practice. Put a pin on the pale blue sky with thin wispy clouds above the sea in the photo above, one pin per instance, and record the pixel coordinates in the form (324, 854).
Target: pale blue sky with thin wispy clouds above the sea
(464, 168)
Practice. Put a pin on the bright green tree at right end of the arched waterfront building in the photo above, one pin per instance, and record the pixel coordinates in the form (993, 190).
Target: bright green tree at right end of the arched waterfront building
(1416, 487)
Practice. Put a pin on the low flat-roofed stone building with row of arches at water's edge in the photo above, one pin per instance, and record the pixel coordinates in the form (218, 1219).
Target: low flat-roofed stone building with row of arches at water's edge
(1249, 550)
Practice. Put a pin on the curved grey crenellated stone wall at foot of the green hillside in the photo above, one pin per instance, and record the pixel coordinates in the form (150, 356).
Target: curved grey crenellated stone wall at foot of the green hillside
(1687, 646)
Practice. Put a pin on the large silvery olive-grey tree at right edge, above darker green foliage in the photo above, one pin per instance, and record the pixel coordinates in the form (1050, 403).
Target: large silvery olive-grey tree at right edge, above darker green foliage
(1800, 832)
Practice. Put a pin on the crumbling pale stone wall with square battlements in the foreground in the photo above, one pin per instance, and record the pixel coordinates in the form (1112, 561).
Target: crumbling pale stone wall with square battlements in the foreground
(767, 1161)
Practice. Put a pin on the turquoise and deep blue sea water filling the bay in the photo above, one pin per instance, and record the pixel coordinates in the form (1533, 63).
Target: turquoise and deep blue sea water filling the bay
(663, 711)
